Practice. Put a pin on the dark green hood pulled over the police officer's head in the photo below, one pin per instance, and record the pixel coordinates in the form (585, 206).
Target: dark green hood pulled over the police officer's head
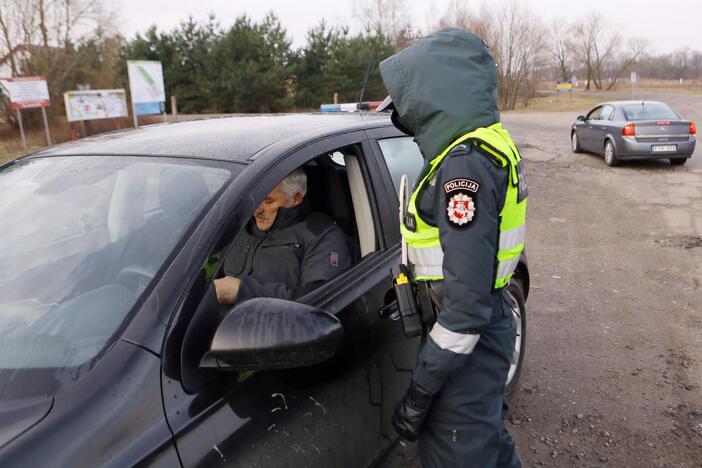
(443, 86)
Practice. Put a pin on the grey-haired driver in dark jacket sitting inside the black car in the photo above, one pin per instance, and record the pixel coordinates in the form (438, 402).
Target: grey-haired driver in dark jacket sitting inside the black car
(286, 249)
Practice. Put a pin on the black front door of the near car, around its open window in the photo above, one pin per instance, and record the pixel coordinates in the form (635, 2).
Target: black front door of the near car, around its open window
(332, 414)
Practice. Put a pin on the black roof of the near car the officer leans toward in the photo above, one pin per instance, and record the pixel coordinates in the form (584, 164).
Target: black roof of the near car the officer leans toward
(236, 138)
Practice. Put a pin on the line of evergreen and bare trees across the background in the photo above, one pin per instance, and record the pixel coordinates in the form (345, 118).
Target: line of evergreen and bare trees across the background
(252, 66)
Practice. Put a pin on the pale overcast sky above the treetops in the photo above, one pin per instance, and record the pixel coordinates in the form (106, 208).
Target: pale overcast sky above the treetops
(667, 24)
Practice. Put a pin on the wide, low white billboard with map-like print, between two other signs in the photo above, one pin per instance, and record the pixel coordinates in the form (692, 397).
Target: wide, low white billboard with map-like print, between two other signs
(95, 104)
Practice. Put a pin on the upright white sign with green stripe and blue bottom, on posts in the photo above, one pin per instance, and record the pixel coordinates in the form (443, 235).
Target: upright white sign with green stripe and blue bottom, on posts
(148, 93)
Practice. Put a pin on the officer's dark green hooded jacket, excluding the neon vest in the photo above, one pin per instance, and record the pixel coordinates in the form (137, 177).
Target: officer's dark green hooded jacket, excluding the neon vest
(443, 86)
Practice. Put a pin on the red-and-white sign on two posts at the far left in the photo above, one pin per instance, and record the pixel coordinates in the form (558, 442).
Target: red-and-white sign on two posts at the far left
(26, 92)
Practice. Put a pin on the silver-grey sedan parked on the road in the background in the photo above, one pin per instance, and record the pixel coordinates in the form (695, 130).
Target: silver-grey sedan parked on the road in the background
(622, 130)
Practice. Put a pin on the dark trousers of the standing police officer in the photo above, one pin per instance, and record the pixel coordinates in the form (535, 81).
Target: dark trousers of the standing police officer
(465, 427)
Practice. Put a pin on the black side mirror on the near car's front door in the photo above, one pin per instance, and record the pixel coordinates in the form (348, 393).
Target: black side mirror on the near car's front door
(267, 333)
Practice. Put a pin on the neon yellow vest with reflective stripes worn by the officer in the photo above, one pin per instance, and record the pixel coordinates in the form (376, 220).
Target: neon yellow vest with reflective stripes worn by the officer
(424, 249)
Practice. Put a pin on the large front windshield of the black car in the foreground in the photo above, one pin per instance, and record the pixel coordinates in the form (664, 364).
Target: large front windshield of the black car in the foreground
(81, 239)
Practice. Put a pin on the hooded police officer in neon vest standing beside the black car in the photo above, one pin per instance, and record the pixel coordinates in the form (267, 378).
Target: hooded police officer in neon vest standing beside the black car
(465, 232)
